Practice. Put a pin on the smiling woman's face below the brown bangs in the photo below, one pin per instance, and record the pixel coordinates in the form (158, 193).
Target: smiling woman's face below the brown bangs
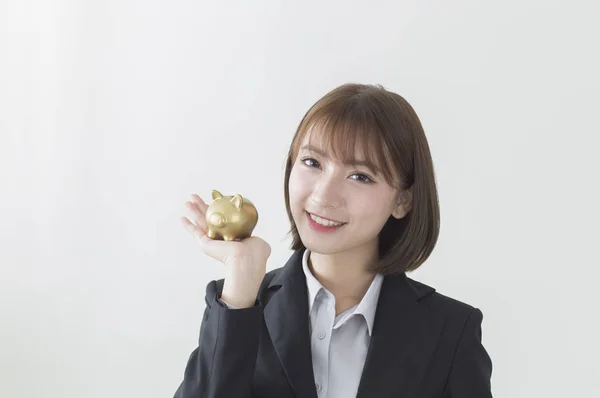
(355, 196)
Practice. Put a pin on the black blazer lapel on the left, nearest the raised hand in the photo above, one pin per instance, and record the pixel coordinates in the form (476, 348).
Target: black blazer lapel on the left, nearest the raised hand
(286, 317)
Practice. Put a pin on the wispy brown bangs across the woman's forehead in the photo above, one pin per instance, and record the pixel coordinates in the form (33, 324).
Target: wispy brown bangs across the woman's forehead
(343, 134)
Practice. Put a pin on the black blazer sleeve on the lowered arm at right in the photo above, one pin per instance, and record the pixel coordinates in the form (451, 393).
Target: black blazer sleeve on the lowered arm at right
(470, 376)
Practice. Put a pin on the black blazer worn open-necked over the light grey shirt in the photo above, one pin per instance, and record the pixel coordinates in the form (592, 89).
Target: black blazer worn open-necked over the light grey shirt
(423, 345)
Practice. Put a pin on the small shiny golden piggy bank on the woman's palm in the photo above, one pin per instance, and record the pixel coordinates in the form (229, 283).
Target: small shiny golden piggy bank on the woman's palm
(230, 217)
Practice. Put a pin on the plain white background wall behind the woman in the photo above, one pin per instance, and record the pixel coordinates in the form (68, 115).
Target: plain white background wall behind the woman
(113, 112)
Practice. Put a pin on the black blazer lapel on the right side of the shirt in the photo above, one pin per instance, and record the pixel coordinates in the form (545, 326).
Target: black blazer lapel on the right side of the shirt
(405, 333)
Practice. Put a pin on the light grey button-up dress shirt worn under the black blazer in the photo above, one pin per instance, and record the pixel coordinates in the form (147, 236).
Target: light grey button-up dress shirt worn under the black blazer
(339, 344)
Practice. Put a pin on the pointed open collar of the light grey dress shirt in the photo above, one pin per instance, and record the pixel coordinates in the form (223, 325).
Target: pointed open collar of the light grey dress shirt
(367, 305)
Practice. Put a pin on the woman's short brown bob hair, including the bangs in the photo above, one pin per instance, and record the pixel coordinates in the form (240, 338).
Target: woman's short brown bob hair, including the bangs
(392, 139)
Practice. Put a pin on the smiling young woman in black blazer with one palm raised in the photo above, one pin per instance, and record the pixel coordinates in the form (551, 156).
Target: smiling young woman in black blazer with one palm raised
(341, 318)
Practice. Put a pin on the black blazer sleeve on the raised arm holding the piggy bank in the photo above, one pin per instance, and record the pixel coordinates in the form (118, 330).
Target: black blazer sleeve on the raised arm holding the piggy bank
(223, 363)
